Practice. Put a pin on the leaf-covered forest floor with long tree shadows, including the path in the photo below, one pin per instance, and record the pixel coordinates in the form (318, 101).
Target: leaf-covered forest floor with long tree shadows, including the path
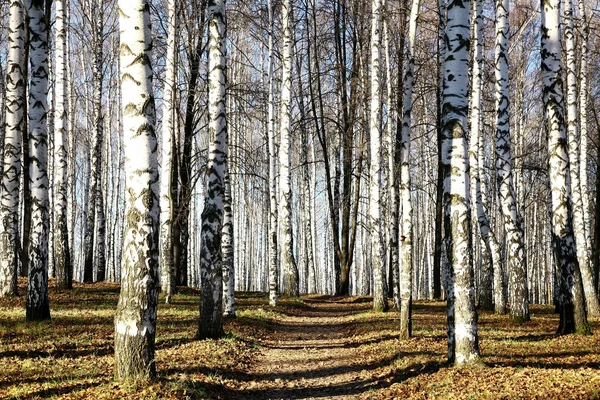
(315, 347)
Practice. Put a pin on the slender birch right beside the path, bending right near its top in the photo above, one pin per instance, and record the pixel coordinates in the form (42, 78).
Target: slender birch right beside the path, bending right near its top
(406, 263)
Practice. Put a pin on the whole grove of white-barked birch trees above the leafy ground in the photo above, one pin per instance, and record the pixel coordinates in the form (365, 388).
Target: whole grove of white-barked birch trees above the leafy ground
(396, 151)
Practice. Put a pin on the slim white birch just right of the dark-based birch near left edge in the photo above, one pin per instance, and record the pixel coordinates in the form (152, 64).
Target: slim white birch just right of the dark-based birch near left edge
(62, 260)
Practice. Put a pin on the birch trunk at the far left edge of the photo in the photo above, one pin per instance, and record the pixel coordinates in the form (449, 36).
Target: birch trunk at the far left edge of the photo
(11, 171)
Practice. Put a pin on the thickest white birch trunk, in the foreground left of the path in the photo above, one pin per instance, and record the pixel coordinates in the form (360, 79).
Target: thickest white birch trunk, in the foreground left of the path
(135, 320)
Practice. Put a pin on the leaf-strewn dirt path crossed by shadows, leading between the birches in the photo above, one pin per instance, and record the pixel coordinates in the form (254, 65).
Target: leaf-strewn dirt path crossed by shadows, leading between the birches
(312, 353)
